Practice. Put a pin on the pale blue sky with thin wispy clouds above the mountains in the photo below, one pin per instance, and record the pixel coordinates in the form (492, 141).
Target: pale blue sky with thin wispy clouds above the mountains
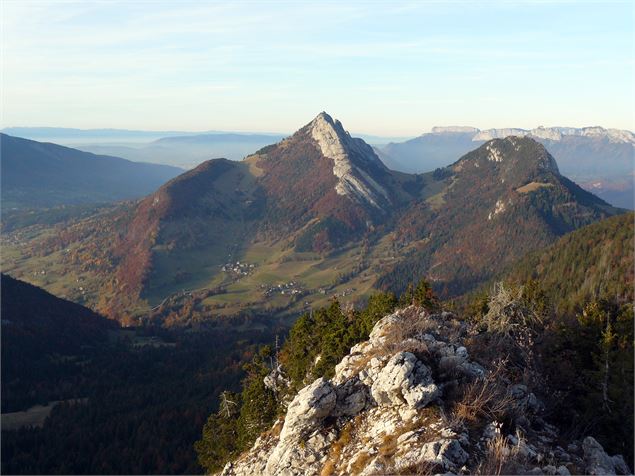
(384, 68)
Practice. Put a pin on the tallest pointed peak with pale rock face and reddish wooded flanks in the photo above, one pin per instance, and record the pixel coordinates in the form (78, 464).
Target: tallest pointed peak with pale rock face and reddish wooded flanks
(325, 180)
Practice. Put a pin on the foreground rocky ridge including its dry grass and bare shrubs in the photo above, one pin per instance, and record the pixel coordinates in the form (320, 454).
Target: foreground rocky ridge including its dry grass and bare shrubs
(427, 393)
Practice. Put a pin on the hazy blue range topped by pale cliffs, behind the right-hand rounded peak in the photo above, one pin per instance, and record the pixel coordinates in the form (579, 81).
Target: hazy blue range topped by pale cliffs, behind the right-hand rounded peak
(601, 160)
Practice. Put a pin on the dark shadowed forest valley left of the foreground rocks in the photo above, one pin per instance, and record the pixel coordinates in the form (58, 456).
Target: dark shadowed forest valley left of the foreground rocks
(75, 383)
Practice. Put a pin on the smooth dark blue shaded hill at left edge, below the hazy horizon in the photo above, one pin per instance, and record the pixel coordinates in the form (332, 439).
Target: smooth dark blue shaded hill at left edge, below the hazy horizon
(38, 174)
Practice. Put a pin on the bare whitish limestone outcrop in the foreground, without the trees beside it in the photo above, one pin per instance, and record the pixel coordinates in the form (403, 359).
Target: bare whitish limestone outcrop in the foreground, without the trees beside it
(385, 412)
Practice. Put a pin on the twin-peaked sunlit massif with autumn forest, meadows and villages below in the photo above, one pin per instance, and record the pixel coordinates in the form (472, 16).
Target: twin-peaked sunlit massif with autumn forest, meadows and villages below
(313, 216)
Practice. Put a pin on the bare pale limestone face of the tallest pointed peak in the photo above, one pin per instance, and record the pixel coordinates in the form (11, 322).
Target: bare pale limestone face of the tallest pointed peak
(355, 163)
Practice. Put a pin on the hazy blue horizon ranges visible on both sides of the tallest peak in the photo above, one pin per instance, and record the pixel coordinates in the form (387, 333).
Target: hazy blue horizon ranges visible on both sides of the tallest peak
(600, 160)
